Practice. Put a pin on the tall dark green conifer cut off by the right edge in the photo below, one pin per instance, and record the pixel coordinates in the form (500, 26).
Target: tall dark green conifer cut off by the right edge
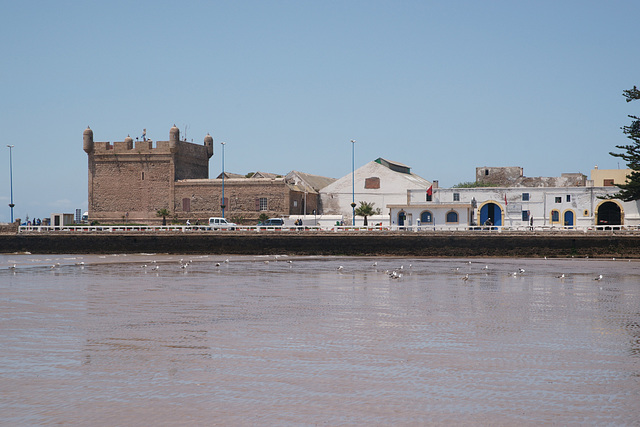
(630, 190)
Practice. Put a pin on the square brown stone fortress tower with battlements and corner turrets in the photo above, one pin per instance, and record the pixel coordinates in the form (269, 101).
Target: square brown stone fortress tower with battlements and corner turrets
(131, 181)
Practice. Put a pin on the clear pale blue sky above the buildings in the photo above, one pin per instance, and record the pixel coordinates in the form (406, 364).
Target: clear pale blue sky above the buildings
(443, 87)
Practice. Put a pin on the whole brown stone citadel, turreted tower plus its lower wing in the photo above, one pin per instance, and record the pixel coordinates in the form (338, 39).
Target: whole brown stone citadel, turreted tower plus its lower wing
(130, 181)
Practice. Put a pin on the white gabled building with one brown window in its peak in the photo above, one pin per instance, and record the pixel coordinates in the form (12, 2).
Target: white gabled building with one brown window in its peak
(381, 182)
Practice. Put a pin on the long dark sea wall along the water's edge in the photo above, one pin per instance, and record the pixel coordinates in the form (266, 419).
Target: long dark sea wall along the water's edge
(354, 244)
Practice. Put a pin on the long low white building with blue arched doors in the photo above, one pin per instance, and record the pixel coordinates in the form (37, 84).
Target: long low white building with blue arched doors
(516, 207)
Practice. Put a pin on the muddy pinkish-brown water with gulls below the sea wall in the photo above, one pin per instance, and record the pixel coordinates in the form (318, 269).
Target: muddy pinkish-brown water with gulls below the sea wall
(249, 342)
